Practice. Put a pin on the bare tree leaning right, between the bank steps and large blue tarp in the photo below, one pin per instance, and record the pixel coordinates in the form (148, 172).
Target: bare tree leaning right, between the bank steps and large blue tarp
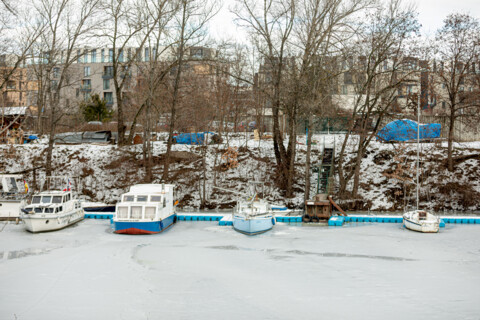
(376, 67)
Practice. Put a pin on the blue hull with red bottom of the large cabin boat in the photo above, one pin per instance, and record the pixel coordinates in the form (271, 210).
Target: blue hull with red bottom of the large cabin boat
(144, 227)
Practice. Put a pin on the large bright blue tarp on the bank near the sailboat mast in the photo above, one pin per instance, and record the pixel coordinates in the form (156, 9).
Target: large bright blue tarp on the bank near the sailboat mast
(403, 130)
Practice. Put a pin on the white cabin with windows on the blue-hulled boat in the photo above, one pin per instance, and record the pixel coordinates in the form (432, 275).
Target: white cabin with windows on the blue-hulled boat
(146, 202)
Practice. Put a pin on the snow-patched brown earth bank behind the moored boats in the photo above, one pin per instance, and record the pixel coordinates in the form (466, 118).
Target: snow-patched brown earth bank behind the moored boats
(385, 184)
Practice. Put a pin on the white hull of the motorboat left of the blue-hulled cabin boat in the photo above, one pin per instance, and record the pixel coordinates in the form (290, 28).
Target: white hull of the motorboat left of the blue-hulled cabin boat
(47, 223)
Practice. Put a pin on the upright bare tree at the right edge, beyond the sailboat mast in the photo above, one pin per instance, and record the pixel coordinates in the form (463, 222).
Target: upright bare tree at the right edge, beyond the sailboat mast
(457, 46)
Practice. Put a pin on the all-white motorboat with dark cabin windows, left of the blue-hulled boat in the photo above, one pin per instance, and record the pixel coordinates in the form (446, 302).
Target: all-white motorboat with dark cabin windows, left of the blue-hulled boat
(52, 210)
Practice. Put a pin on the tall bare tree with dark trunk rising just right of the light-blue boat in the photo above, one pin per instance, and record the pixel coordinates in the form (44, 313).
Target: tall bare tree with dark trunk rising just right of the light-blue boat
(270, 24)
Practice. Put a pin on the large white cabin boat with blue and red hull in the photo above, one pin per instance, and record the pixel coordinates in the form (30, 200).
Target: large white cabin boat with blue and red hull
(145, 209)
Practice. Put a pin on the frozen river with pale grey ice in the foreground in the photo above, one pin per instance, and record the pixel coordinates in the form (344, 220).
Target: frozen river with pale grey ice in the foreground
(199, 270)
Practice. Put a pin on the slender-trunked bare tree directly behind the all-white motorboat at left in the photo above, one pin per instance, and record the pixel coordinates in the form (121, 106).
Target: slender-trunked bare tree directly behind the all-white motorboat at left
(68, 24)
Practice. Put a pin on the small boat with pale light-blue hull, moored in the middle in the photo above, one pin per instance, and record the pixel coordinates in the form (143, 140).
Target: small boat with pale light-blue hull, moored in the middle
(253, 217)
